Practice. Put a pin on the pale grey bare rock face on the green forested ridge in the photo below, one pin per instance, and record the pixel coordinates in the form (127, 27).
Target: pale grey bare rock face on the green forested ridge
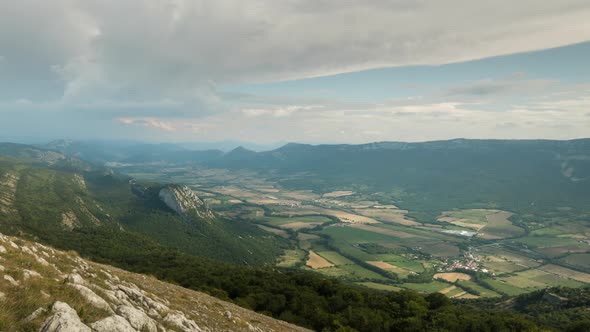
(184, 201)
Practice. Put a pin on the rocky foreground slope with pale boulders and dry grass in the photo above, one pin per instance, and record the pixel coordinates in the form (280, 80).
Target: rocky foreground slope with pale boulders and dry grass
(50, 290)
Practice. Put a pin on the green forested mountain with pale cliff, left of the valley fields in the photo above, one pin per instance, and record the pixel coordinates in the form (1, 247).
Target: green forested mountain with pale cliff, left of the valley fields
(47, 199)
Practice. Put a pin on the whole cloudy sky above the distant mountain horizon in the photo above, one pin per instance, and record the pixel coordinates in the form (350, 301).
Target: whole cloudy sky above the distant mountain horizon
(314, 71)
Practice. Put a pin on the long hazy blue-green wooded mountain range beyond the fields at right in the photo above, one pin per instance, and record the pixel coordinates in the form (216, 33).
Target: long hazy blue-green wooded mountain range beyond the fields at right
(517, 175)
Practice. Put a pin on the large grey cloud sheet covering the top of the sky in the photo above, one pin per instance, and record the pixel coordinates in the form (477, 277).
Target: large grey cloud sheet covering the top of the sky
(177, 48)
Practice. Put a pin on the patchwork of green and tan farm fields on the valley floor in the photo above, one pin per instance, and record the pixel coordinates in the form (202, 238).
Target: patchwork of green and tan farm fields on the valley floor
(365, 237)
